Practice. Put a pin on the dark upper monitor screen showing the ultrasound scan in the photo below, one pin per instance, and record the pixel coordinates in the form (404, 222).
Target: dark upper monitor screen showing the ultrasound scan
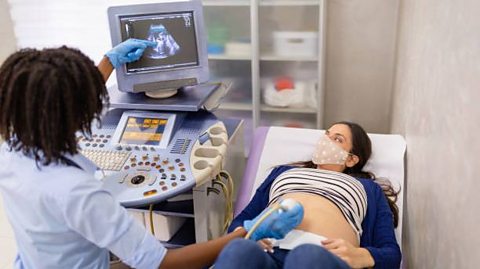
(174, 34)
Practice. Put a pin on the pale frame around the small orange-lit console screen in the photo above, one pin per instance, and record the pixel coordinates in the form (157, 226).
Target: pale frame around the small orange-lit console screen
(166, 136)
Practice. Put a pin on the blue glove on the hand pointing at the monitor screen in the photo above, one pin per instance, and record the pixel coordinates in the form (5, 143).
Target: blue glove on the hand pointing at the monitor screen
(128, 51)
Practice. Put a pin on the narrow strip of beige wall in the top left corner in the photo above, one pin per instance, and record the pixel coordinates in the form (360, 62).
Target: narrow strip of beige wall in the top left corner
(7, 44)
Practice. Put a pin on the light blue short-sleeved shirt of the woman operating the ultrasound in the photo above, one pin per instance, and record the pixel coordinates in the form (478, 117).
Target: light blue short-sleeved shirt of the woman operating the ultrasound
(62, 218)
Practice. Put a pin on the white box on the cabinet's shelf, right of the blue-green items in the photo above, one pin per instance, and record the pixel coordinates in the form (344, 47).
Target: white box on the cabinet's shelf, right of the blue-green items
(300, 44)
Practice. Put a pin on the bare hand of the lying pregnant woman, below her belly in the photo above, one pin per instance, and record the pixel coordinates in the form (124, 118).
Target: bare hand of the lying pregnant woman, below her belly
(355, 257)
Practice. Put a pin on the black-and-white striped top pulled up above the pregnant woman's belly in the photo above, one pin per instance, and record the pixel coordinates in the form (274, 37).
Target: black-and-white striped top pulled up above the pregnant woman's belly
(344, 191)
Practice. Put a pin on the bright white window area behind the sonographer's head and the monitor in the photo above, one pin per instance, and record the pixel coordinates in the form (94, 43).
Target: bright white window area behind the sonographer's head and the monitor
(82, 24)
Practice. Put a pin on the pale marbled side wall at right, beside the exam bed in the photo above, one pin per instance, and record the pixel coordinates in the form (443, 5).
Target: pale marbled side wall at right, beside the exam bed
(436, 107)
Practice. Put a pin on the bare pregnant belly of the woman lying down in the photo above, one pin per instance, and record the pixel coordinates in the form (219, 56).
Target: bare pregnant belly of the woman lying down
(323, 217)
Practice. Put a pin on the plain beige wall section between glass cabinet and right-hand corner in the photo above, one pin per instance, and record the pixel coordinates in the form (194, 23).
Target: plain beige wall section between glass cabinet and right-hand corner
(361, 37)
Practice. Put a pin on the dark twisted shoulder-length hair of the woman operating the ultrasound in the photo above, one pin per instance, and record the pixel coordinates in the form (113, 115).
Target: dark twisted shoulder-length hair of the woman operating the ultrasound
(46, 97)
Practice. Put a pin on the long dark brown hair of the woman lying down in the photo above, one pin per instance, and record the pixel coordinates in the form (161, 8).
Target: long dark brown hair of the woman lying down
(362, 148)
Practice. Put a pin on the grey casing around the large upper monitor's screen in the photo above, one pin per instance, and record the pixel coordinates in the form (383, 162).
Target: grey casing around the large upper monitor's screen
(126, 80)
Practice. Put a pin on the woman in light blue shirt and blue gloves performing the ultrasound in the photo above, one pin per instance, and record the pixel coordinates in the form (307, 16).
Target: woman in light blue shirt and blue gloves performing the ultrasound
(61, 216)
